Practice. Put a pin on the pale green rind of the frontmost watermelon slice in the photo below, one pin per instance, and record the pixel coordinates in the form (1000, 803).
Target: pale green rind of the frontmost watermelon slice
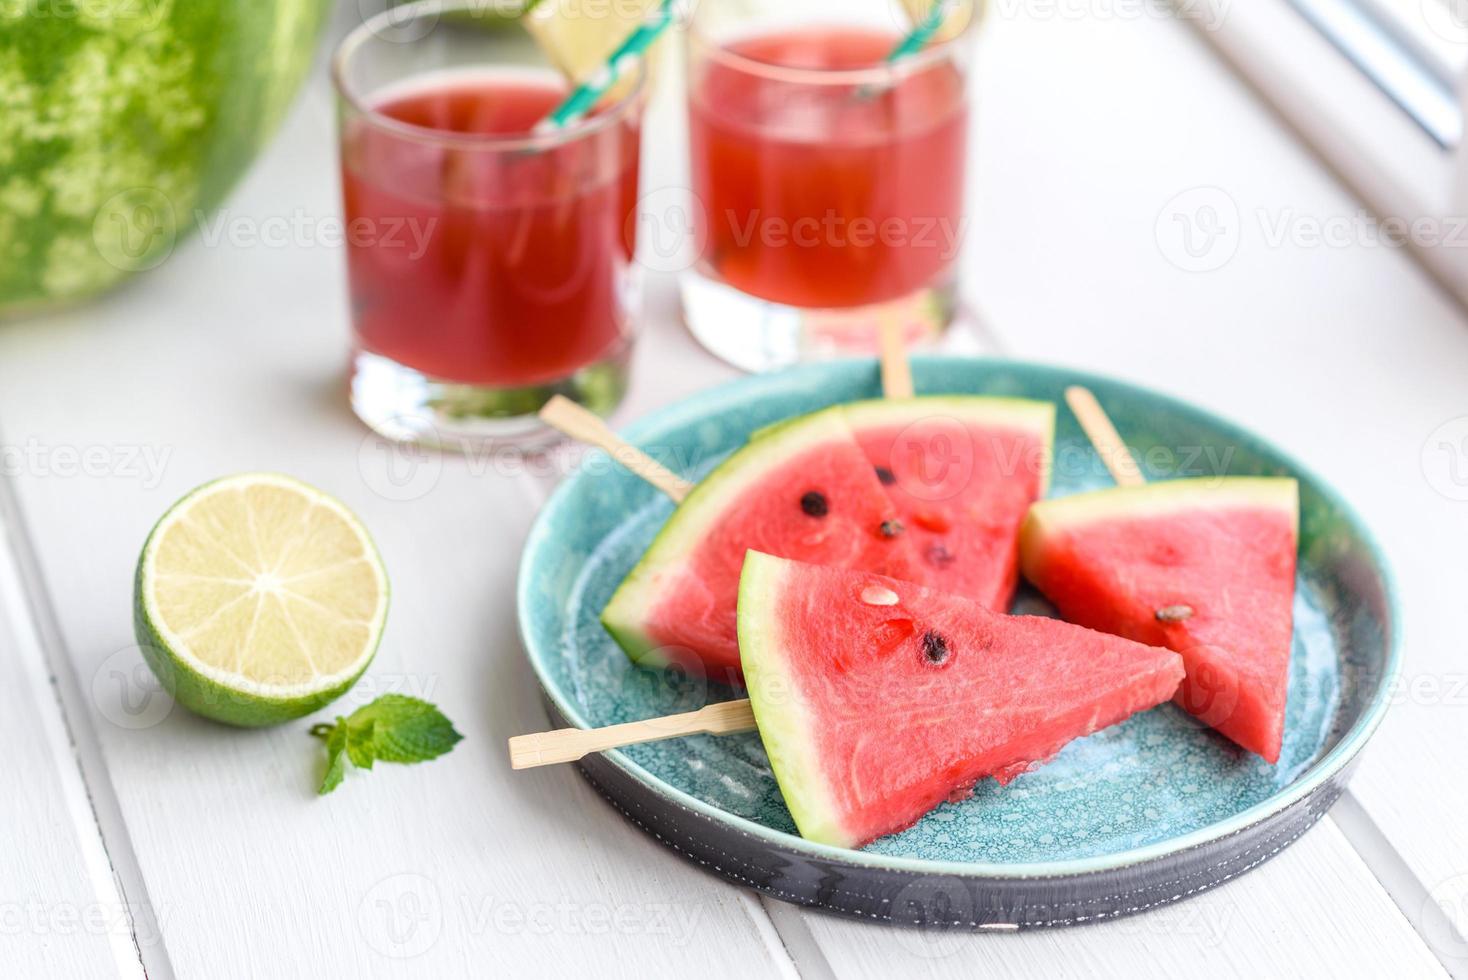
(780, 712)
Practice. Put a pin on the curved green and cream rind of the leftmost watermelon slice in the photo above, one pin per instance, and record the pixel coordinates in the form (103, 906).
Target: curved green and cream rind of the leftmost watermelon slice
(641, 592)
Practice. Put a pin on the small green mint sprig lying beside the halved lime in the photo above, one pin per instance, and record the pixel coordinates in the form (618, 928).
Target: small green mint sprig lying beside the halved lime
(396, 728)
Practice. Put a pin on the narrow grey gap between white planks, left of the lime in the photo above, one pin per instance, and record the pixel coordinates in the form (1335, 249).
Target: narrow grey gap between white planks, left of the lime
(102, 833)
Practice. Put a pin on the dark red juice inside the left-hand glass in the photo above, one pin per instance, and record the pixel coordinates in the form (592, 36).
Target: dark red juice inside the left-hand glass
(482, 265)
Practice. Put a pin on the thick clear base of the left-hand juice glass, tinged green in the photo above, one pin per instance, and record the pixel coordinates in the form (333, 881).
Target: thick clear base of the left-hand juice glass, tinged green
(407, 406)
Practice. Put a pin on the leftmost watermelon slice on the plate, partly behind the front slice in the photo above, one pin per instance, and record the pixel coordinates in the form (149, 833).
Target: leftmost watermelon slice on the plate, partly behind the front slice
(802, 491)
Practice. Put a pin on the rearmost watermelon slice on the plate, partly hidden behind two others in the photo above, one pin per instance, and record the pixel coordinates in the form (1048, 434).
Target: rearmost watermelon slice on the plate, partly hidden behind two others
(962, 472)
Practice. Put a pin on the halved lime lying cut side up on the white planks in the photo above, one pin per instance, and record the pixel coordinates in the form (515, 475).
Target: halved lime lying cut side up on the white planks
(259, 599)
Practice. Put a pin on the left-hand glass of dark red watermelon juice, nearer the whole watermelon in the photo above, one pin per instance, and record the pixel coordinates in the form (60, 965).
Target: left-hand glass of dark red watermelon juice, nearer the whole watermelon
(490, 266)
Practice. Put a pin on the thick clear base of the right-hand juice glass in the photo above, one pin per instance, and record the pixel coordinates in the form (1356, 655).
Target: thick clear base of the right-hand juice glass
(758, 335)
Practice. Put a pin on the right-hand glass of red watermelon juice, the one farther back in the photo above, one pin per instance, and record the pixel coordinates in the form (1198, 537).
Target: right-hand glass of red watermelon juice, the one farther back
(827, 180)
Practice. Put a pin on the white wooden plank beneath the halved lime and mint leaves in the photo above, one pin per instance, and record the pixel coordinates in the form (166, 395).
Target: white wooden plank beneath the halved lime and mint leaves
(230, 359)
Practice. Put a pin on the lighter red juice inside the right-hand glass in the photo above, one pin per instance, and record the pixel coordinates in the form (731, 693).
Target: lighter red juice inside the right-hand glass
(827, 193)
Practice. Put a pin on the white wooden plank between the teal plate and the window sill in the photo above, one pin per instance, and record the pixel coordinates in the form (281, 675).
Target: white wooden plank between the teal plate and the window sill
(1293, 321)
